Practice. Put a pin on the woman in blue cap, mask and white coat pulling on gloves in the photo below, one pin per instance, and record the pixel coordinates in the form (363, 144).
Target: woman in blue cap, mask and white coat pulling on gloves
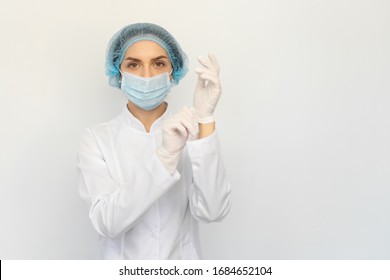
(149, 176)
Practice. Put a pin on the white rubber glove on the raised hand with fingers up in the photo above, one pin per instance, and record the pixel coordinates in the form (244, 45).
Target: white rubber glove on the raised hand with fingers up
(208, 89)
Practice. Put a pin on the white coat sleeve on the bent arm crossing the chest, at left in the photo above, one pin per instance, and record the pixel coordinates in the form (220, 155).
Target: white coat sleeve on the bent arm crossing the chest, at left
(114, 208)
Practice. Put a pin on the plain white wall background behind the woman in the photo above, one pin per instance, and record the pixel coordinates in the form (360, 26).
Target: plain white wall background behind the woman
(303, 121)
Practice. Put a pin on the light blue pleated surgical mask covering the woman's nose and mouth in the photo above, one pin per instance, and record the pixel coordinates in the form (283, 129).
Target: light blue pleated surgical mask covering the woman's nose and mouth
(146, 93)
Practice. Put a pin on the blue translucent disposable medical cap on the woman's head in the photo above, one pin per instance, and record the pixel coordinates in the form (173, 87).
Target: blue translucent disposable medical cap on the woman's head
(133, 33)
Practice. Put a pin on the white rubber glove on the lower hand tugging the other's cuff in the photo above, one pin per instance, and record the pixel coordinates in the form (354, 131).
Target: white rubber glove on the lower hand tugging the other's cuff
(176, 130)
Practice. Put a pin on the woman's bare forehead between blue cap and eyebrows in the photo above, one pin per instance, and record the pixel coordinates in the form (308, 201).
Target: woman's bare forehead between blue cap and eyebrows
(145, 50)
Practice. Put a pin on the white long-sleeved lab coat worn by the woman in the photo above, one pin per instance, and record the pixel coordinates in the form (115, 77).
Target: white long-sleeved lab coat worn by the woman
(139, 210)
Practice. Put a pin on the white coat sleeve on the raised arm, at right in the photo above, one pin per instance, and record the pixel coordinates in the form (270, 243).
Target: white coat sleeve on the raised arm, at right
(210, 192)
